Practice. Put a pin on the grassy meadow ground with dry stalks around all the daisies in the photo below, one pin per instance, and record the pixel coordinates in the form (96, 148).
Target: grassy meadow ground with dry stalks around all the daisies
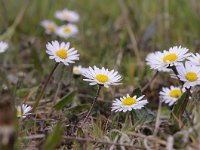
(115, 34)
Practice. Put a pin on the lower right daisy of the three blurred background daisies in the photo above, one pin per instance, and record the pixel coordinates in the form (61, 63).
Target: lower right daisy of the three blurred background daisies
(67, 31)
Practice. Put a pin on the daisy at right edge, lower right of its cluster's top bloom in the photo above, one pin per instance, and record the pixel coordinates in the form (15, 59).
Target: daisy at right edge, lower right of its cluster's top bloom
(189, 74)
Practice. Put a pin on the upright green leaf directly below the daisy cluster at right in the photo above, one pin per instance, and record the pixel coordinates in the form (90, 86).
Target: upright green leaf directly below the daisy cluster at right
(179, 107)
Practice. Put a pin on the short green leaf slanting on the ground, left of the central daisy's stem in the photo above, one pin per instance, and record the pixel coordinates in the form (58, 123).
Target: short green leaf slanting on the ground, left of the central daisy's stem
(64, 101)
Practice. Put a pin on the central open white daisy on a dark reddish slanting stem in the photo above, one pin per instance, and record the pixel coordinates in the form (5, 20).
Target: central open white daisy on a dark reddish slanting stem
(102, 76)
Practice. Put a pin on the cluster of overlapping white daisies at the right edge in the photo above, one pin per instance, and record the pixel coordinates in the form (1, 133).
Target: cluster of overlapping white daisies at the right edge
(182, 65)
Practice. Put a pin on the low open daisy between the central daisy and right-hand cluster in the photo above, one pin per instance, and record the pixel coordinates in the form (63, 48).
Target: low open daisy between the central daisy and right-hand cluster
(127, 103)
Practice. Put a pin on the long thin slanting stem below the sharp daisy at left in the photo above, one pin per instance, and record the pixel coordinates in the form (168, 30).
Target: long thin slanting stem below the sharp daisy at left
(41, 92)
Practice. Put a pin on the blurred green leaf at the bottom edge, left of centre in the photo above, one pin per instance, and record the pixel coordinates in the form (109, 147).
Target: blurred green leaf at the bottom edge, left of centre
(54, 138)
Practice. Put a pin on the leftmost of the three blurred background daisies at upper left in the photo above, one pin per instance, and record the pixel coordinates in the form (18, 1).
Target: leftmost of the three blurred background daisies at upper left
(50, 26)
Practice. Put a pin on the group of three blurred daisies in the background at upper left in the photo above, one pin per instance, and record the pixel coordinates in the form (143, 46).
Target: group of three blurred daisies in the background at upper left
(65, 31)
